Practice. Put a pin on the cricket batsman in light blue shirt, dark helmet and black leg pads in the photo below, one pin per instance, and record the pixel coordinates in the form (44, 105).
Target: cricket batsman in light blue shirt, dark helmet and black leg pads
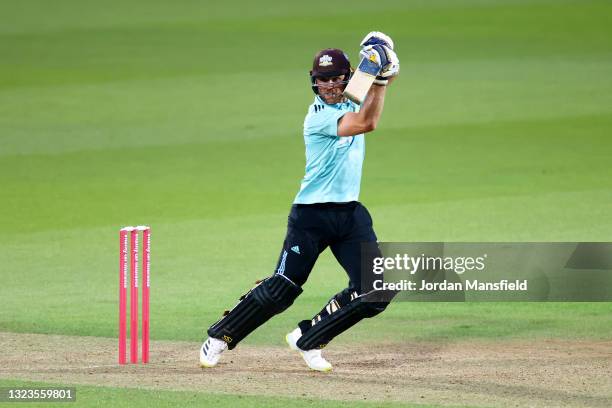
(325, 213)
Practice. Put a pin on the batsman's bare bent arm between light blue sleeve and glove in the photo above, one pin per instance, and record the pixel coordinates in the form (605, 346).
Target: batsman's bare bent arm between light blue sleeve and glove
(366, 120)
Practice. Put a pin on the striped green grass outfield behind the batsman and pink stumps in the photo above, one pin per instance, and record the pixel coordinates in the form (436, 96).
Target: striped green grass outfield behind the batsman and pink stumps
(188, 118)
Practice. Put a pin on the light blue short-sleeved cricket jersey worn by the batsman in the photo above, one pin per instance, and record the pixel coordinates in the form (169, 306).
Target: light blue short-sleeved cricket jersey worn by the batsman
(333, 163)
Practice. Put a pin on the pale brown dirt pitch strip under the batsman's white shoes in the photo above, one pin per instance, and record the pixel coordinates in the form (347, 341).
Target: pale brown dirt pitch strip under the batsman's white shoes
(535, 373)
